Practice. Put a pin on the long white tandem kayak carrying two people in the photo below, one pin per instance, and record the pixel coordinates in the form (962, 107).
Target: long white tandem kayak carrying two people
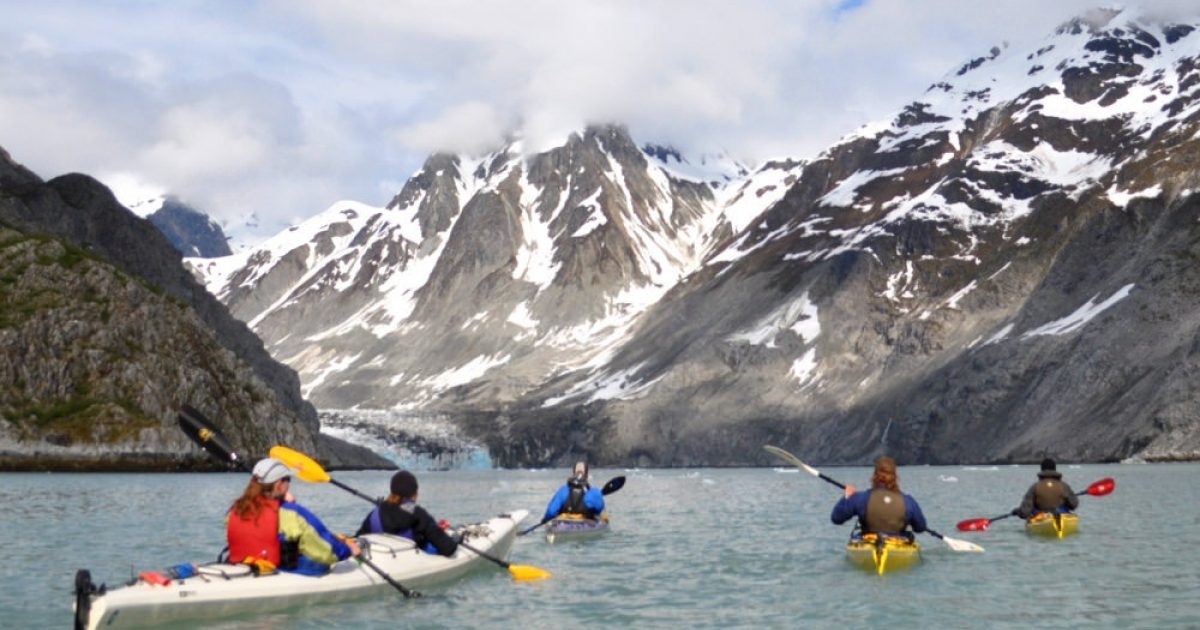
(230, 590)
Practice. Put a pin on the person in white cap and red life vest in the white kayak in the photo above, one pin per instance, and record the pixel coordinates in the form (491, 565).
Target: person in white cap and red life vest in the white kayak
(268, 530)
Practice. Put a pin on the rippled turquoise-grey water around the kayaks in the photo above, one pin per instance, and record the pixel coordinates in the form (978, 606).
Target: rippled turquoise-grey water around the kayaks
(688, 549)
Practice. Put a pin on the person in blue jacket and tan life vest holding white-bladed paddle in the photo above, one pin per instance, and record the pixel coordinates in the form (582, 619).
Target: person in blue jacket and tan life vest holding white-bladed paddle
(884, 509)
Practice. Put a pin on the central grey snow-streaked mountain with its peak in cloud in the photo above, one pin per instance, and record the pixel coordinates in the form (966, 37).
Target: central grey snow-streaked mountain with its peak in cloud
(517, 267)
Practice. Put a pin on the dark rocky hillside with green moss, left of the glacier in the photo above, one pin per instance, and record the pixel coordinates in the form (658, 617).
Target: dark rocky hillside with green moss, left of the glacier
(107, 334)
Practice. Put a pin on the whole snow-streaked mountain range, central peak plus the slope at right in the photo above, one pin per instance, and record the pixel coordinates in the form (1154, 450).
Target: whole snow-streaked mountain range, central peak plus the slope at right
(1004, 271)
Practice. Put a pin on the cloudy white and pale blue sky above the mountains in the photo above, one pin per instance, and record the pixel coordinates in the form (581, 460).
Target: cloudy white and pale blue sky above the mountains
(280, 109)
